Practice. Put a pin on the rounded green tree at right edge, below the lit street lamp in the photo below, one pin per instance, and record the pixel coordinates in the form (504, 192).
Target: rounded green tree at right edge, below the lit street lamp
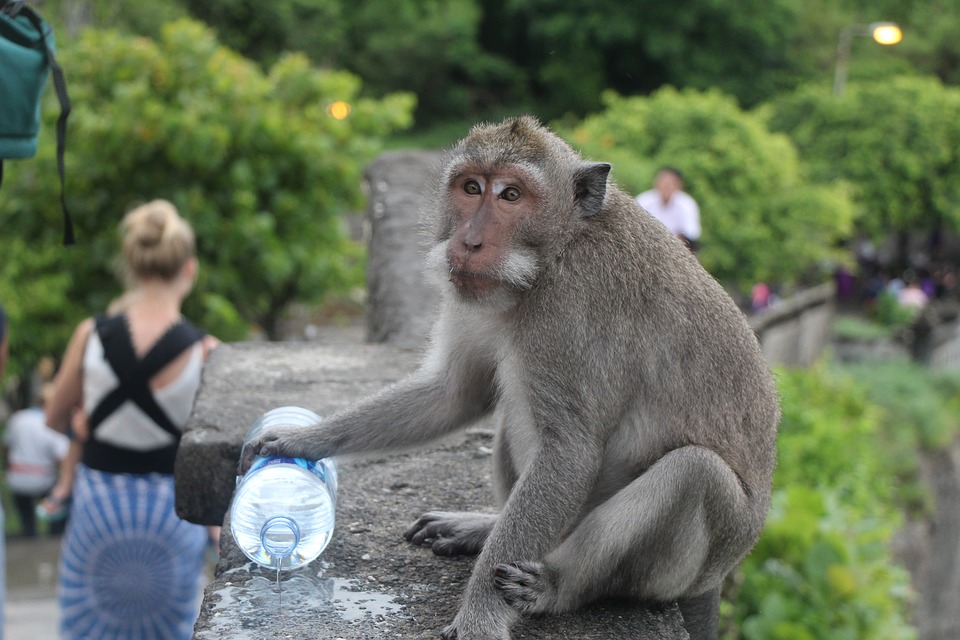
(898, 141)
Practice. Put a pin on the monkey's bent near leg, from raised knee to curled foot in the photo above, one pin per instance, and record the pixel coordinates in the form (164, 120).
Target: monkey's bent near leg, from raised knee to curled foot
(674, 532)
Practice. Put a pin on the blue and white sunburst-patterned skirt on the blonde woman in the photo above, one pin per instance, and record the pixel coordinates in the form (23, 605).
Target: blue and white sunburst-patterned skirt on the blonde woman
(129, 568)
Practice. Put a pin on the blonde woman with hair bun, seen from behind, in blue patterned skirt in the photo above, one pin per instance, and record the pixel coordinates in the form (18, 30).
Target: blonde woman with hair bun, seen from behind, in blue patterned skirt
(129, 567)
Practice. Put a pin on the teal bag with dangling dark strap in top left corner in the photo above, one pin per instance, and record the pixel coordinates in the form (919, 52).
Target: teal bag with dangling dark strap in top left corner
(26, 59)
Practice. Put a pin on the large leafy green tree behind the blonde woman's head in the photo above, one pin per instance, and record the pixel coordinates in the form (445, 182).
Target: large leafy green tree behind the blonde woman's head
(253, 160)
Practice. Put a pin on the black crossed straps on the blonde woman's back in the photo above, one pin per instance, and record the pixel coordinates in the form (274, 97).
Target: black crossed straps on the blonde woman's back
(135, 374)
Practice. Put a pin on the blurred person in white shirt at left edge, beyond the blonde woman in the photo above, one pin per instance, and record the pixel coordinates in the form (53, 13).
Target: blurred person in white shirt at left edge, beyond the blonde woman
(32, 453)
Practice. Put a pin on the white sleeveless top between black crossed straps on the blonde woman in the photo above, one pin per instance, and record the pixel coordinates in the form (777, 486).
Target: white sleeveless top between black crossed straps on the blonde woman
(129, 427)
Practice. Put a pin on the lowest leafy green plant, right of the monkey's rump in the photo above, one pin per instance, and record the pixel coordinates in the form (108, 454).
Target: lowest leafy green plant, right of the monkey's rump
(822, 570)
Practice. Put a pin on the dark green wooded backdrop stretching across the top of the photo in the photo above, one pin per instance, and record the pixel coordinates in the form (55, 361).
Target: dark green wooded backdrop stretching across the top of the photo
(552, 57)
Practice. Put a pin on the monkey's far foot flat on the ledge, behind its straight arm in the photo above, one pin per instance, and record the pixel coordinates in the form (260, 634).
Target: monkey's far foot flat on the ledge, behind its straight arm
(452, 533)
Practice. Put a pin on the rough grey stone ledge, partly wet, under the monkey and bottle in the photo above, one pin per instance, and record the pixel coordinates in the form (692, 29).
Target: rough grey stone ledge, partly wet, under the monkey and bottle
(369, 583)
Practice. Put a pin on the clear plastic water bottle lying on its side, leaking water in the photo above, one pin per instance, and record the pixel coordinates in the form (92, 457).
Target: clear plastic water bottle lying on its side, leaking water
(282, 514)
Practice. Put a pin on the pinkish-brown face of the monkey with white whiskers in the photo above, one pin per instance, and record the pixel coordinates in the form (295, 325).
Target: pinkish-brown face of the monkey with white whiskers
(489, 212)
